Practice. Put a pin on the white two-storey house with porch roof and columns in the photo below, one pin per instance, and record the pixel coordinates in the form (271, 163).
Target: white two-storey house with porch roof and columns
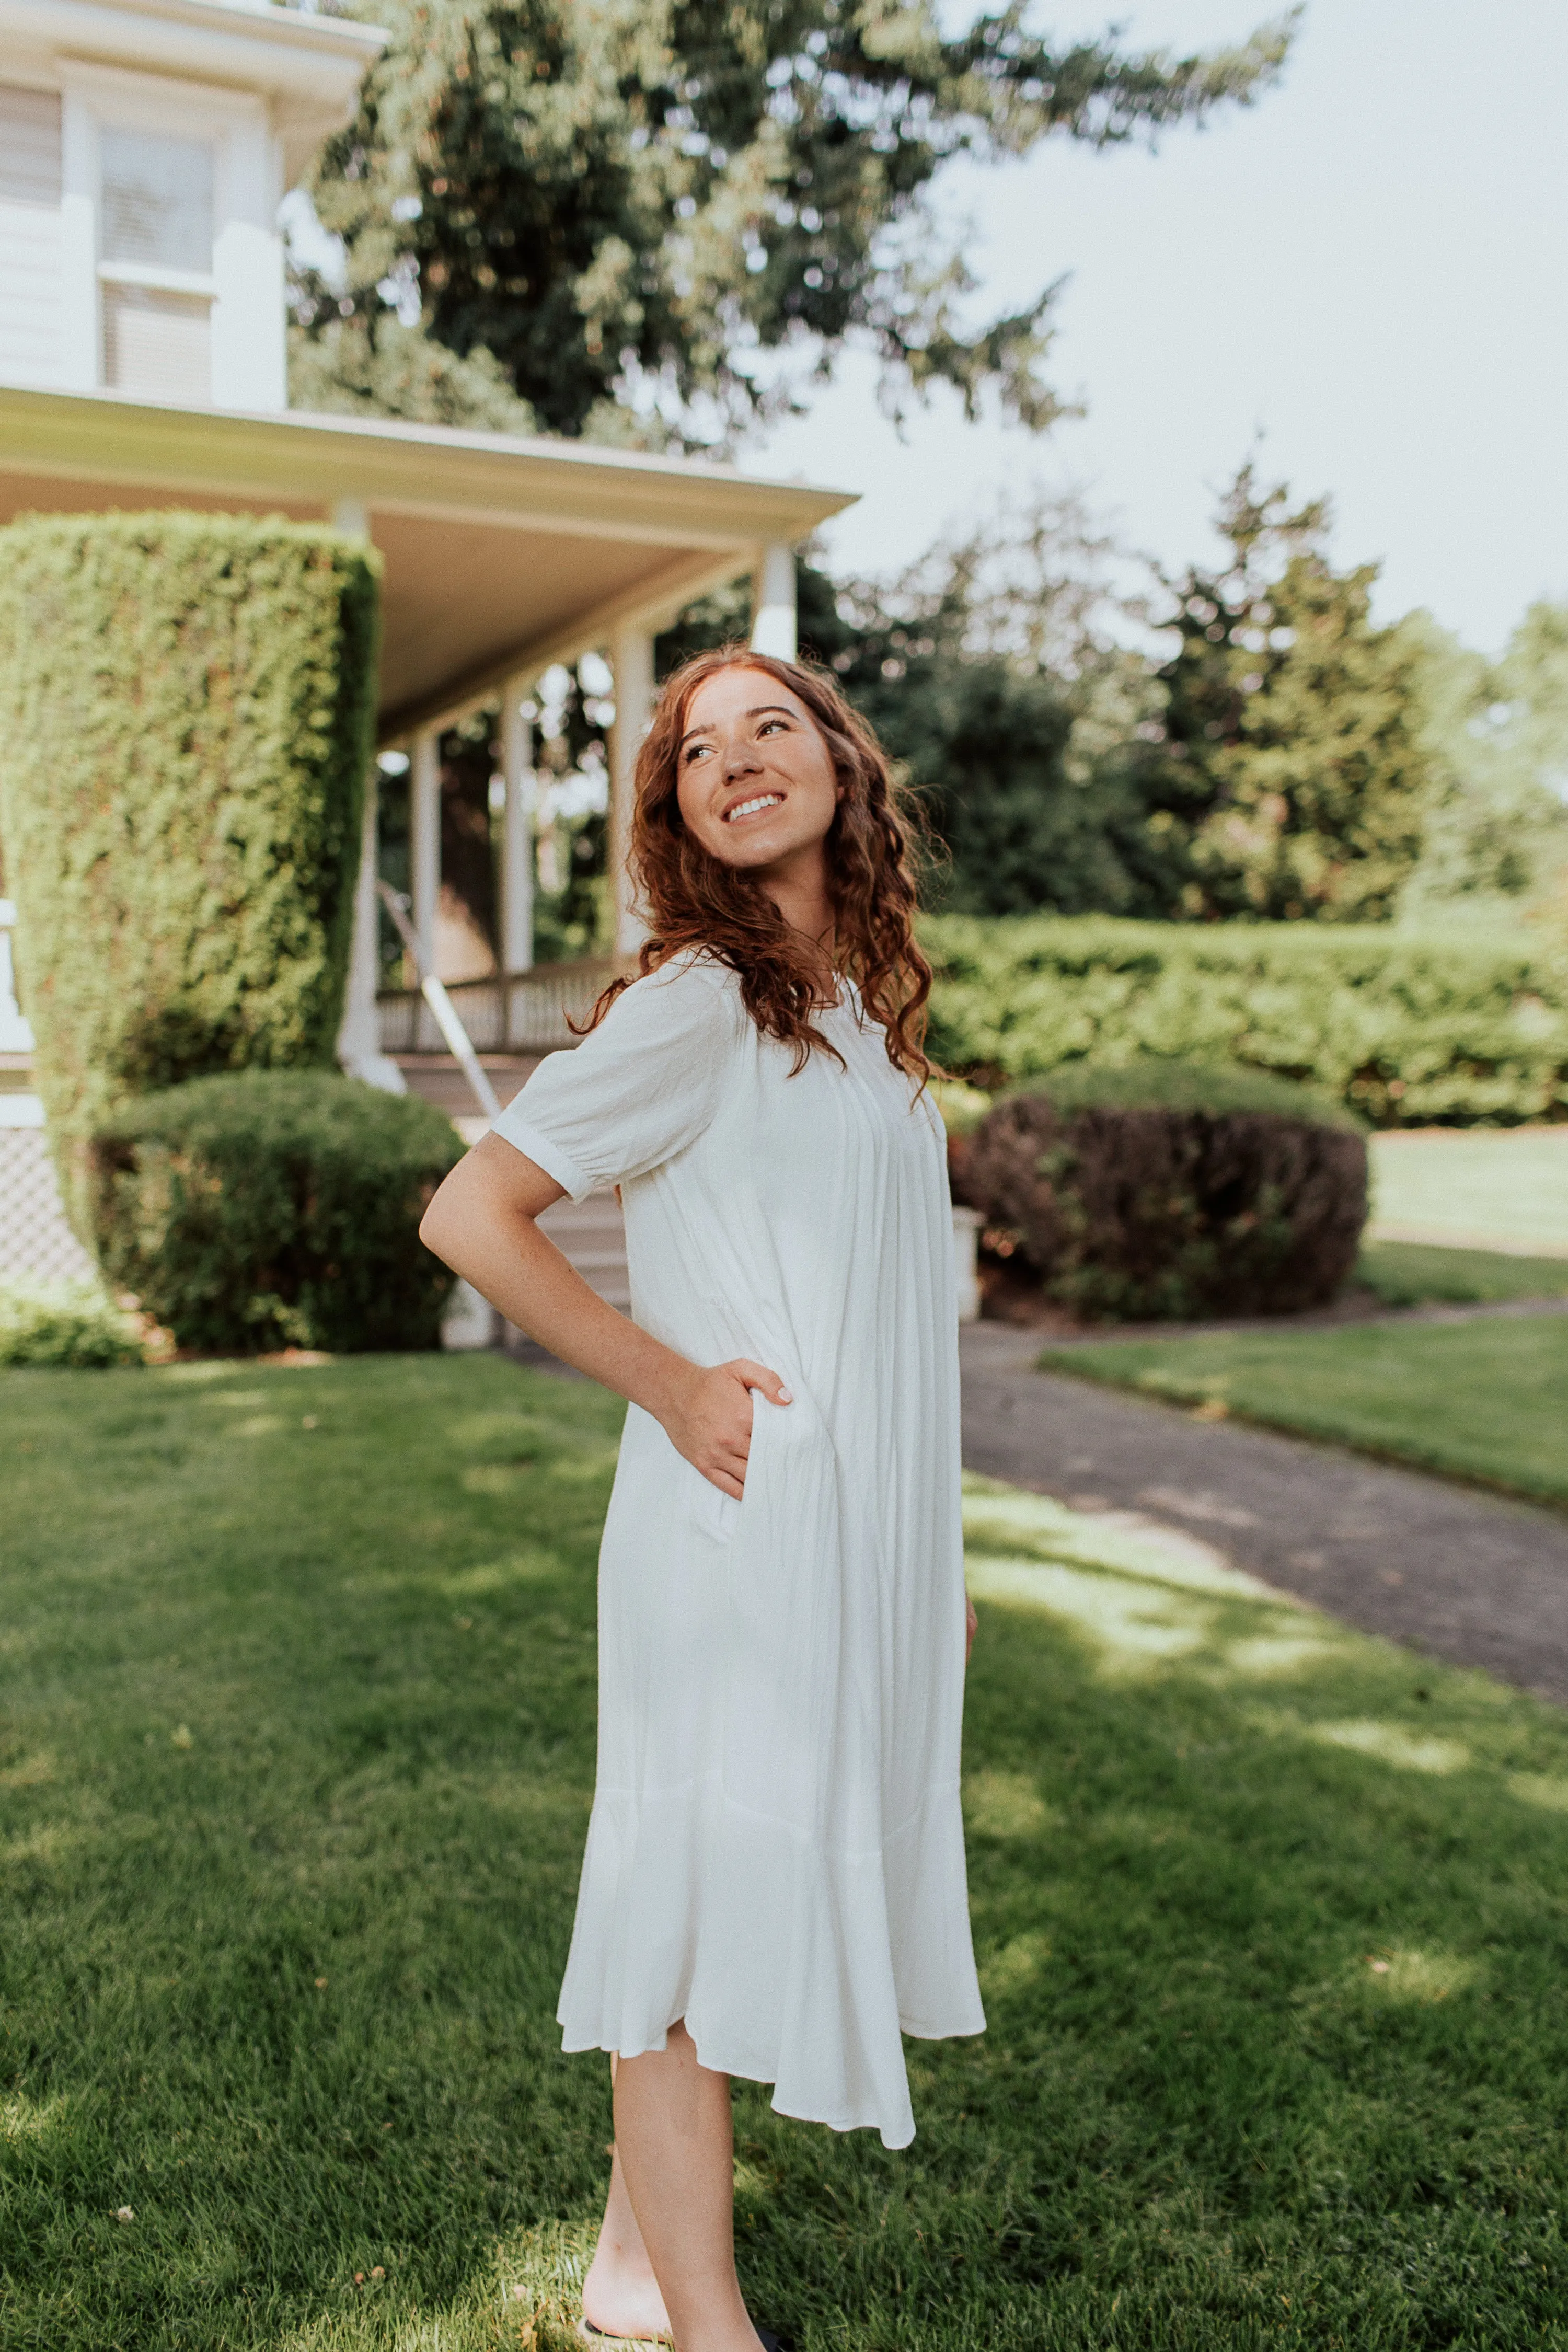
(145, 152)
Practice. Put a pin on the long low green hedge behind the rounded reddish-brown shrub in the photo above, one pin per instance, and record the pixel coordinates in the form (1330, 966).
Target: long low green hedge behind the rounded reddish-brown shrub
(1405, 1029)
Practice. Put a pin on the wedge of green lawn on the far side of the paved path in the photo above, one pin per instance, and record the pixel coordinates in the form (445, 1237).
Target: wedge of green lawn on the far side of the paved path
(1482, 1401)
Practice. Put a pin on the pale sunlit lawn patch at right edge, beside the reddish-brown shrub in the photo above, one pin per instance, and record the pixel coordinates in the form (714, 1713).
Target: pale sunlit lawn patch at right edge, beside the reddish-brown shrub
(1485, 1187)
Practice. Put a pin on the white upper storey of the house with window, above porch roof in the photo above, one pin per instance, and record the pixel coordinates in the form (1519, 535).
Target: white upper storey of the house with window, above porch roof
(145, 152)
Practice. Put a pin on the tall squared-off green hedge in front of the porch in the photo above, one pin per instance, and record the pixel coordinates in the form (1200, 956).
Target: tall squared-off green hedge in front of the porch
(187, 716)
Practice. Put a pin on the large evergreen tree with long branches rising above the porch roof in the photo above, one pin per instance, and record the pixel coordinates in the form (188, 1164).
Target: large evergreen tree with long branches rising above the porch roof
(615, 196)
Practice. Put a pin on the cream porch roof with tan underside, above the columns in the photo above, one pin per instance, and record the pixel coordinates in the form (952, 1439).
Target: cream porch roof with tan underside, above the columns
(502, 556)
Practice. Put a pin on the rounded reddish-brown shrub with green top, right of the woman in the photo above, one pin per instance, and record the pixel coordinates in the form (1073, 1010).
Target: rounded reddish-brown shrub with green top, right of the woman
(1148, 1196)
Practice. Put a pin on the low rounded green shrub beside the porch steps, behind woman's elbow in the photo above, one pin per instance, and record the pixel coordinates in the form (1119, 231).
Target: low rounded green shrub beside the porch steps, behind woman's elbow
(276, 1210)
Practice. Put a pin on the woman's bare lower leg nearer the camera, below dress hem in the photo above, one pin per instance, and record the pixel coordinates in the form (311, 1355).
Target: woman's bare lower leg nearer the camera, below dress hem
(676, 2146)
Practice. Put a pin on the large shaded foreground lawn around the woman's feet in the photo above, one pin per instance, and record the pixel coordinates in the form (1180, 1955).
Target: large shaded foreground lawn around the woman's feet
(295, 1775)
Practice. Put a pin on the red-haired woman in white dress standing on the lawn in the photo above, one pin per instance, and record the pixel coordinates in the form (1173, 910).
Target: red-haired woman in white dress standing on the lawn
(775, 1876)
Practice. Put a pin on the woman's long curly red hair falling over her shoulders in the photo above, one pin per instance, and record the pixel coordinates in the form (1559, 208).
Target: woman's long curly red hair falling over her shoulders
(692, 900)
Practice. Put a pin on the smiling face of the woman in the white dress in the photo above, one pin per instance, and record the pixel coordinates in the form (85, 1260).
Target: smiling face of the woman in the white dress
(756, 780)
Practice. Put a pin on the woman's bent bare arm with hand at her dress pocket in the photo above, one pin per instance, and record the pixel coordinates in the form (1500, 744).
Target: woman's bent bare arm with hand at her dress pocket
(483, 1224)
